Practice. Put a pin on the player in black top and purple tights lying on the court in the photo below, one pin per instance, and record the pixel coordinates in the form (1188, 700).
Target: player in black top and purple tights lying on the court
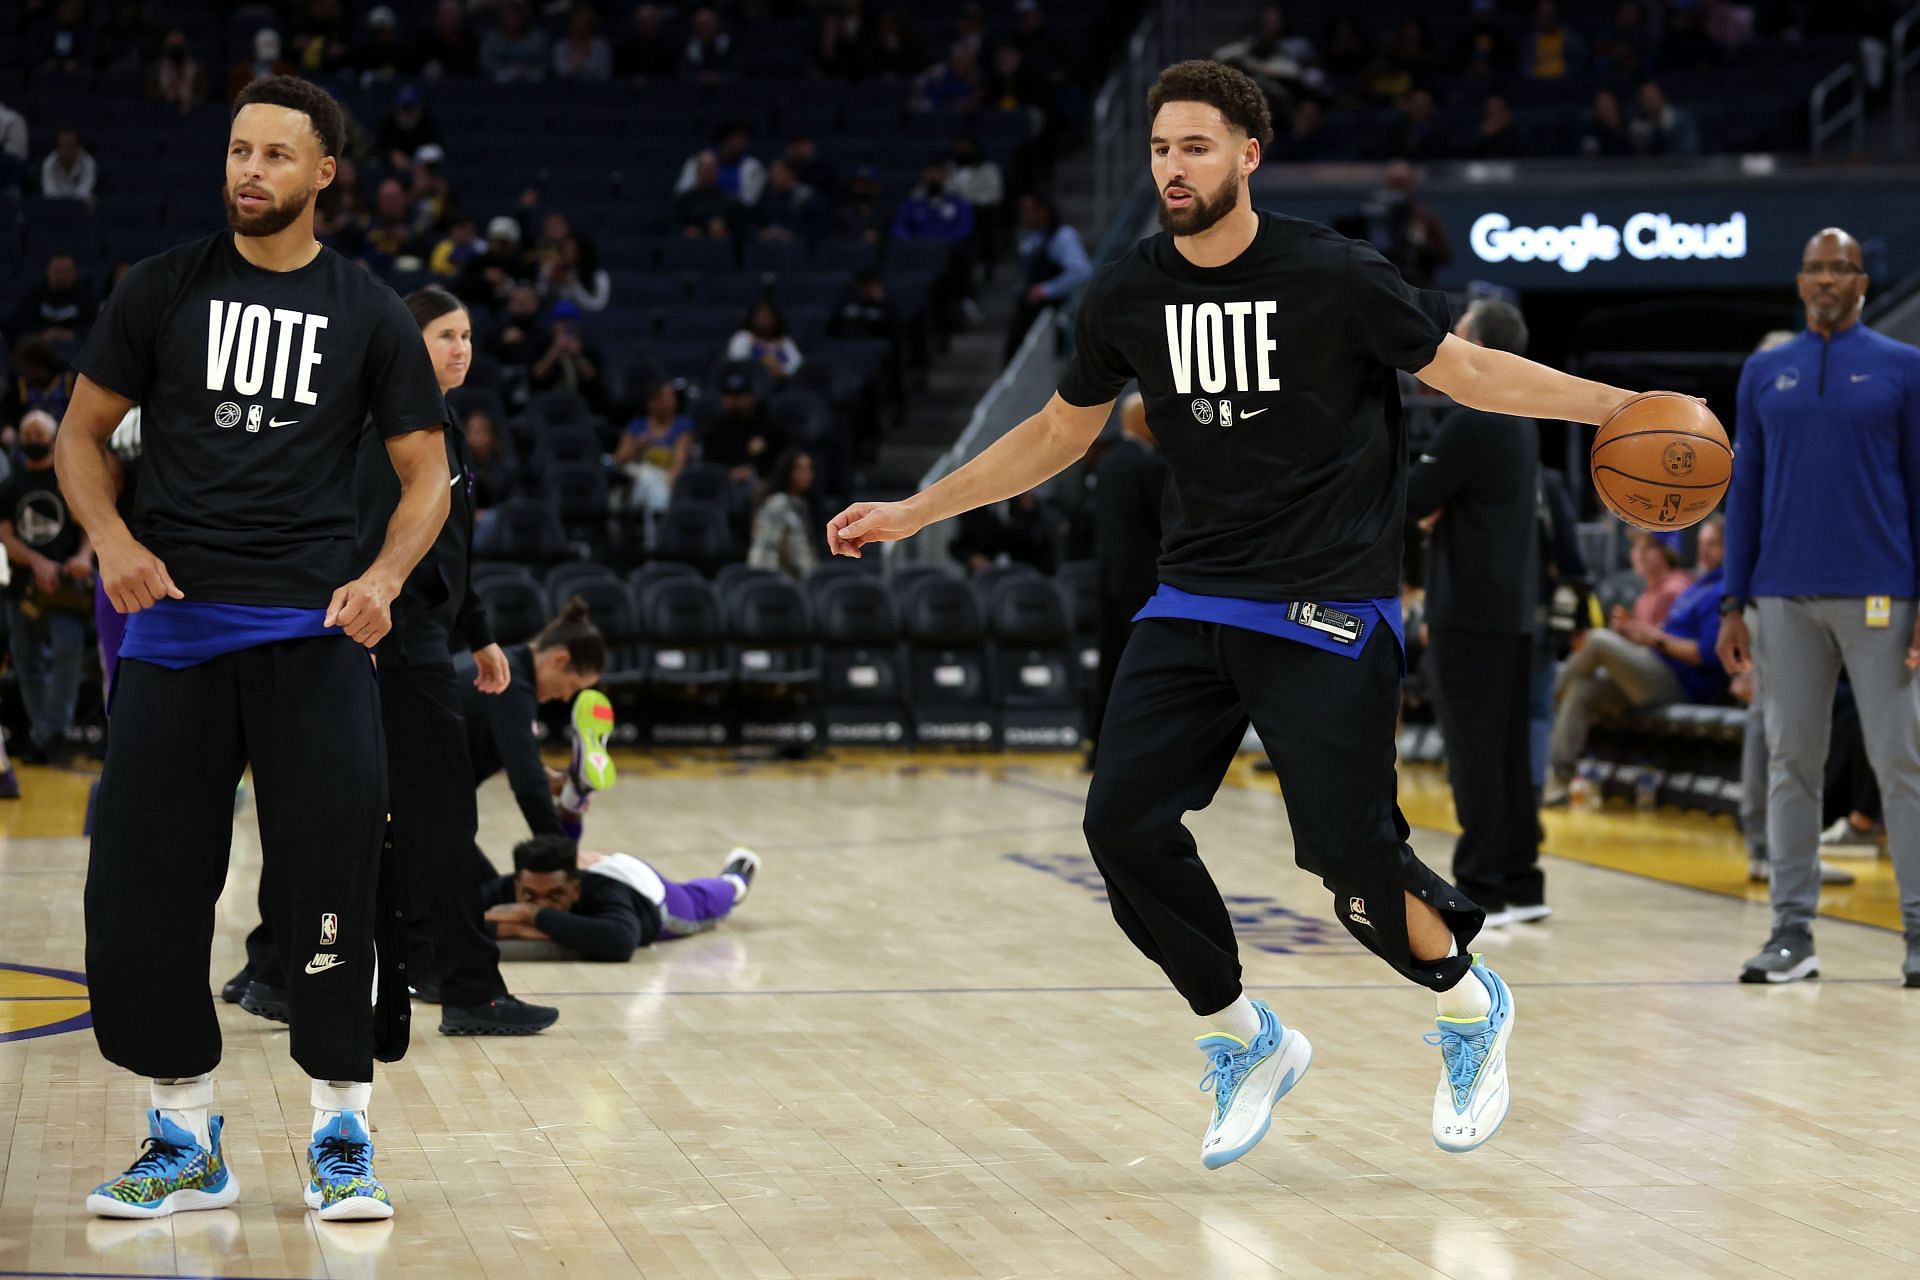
(608, 907)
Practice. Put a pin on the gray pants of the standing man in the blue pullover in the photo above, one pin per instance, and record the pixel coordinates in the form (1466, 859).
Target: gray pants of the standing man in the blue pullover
(1800, 646)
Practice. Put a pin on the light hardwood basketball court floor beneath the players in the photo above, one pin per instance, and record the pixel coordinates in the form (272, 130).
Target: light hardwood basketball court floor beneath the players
(923, 1049)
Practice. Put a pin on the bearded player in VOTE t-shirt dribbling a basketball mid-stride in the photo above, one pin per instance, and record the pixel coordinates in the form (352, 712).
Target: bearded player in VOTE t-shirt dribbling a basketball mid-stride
(1266, 350)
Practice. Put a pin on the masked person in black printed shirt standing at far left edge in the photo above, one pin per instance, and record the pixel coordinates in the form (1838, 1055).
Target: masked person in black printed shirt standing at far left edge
(53, 590)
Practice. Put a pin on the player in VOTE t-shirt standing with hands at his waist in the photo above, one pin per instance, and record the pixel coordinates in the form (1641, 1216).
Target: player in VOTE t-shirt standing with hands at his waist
(256, 356)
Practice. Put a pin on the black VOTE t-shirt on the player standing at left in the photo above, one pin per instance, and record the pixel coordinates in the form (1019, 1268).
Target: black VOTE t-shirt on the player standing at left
(252, 391)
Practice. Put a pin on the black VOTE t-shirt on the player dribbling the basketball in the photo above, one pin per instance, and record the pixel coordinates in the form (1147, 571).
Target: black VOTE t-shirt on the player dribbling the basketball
(1270, 389)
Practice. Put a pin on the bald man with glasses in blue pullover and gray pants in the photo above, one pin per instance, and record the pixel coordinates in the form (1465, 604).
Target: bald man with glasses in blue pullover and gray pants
(1823, 542)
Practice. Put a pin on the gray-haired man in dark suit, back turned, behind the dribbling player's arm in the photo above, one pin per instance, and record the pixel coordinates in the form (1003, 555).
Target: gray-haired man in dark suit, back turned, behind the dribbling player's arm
(1477, 485)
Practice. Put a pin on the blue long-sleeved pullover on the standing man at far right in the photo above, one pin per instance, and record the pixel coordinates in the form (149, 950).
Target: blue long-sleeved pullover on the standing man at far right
(1827, 469)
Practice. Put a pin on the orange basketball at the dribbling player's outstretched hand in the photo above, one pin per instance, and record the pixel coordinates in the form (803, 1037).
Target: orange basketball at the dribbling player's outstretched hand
(1662, 462)
